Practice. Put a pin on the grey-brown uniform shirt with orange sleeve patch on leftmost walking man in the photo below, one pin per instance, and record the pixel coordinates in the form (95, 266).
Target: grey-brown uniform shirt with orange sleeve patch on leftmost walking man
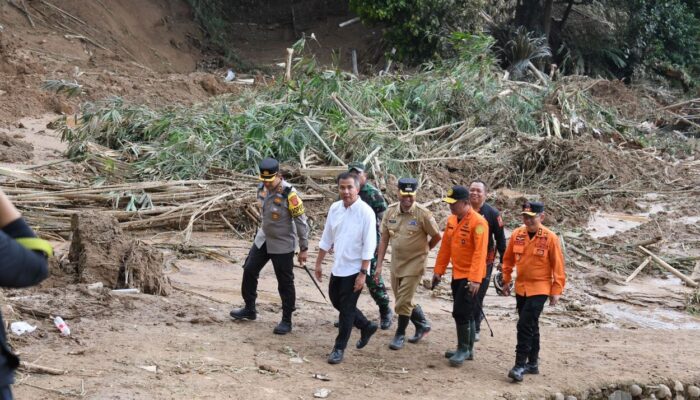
(283, 220)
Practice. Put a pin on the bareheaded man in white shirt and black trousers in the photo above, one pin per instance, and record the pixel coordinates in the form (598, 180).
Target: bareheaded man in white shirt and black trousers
(351, 232)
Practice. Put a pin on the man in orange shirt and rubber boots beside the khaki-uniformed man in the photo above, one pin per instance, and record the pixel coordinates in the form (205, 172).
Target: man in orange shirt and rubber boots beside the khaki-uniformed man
(465, 244)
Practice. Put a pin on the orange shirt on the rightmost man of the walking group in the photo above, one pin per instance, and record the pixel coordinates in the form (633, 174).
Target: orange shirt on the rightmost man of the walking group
(539, 261)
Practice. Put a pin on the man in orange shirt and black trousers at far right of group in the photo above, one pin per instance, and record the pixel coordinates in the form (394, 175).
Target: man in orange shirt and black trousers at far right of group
(535, 251)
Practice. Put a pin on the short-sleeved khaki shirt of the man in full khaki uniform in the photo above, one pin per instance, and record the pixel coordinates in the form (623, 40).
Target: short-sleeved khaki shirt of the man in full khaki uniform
(409, 234)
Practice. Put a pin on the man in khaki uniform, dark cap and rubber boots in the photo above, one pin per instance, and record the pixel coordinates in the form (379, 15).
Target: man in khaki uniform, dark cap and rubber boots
(412, 231)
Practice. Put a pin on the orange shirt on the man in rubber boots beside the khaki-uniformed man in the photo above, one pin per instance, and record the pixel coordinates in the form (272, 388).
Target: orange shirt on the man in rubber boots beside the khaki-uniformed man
(465, 243)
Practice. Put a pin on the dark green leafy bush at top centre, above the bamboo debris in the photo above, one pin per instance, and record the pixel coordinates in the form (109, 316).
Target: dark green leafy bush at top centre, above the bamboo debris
(420, 29)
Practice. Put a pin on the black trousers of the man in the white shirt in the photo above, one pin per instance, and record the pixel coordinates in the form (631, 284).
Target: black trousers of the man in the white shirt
(344, 299)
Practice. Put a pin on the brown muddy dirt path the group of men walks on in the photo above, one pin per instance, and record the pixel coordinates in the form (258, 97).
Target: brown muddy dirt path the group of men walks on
(198, 352)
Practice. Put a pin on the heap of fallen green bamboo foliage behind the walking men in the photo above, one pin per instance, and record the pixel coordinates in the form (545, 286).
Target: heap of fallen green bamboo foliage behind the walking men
(352, 116)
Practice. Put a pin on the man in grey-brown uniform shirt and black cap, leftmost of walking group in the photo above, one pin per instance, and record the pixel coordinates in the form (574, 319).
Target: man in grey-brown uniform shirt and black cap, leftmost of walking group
(283, 221)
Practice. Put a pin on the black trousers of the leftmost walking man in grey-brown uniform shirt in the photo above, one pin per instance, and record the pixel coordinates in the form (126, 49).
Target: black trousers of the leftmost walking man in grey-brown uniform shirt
(284, 270)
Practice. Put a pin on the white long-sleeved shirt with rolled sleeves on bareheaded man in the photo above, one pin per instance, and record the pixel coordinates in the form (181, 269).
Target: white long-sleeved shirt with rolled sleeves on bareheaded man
(351, 232)
